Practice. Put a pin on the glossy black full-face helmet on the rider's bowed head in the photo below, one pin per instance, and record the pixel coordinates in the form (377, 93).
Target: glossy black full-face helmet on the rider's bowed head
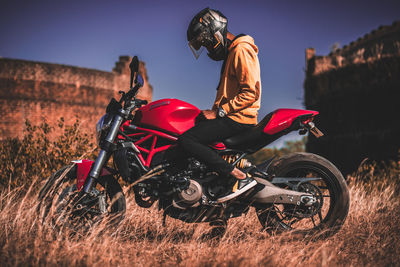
(208, 29)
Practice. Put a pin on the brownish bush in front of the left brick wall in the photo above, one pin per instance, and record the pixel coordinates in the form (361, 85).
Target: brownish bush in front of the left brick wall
(36, 154)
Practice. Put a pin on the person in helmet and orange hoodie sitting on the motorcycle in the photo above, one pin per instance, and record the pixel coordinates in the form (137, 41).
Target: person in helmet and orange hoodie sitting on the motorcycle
(238, 94)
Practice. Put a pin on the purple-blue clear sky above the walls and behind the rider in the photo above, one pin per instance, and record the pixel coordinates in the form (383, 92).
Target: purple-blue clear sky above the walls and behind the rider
(94, 33)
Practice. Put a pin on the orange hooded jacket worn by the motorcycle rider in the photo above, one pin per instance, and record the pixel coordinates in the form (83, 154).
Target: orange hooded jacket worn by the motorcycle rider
(239, 91)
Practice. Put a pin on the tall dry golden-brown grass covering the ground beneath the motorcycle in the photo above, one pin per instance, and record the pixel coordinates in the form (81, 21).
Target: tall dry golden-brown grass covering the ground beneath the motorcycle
(370, 236)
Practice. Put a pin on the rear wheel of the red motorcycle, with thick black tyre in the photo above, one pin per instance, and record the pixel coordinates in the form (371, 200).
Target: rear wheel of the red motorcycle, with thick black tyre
(327, 186)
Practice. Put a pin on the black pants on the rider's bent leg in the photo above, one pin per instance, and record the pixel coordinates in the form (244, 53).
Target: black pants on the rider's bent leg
(196, 140)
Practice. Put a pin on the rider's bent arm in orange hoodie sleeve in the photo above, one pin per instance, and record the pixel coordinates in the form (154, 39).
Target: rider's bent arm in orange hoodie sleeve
(247, 72)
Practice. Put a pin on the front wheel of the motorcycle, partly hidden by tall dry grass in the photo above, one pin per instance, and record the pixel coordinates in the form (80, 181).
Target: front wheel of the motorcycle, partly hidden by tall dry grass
(62, 204)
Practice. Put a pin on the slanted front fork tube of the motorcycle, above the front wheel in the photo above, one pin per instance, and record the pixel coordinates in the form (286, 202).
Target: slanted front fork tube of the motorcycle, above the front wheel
(106, 149)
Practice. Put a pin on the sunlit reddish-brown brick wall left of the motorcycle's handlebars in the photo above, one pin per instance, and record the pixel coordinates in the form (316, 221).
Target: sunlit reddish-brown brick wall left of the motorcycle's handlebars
(36, 90)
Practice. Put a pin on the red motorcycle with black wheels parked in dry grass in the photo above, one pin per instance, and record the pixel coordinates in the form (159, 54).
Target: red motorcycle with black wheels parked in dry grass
(300, 191)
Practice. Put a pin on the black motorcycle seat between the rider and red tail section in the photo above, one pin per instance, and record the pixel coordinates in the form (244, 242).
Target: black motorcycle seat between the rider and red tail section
(249, 139)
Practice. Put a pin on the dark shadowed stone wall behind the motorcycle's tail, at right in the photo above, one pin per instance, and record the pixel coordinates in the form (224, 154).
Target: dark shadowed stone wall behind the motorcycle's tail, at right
(356, 89)
